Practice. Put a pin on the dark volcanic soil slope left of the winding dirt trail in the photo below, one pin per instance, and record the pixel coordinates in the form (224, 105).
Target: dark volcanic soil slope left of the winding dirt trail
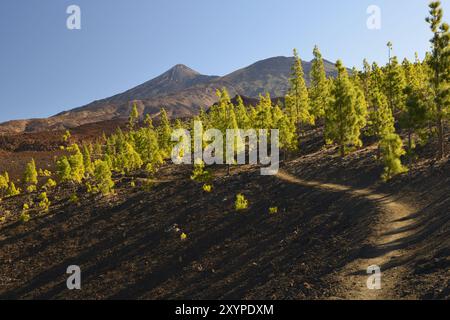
(126, 249)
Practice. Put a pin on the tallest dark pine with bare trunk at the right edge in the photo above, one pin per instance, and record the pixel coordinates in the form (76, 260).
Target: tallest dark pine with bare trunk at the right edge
(440, 64)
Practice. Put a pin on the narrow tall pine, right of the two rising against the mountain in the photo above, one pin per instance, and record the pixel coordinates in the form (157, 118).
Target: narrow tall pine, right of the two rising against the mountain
(319, 91)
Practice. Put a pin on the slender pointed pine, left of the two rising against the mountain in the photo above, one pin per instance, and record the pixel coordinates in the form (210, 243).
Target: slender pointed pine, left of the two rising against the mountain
(297, 100)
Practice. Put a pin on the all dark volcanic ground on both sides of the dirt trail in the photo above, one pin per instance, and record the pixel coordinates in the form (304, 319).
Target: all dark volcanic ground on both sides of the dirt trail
(128, 247)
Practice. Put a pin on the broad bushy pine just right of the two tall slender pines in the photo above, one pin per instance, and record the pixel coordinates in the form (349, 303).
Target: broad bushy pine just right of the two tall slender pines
(345, 115)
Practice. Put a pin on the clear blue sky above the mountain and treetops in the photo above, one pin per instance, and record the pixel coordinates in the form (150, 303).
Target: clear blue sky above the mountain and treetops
(46, 68)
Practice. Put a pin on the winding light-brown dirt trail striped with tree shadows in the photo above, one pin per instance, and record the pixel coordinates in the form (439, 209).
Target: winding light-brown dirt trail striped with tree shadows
(384, 243)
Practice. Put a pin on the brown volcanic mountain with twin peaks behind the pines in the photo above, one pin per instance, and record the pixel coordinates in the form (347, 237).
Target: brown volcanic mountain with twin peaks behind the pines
(180, 90)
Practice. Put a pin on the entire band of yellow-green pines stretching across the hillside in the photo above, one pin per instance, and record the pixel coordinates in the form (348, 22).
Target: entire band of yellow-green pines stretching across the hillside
(377, 101)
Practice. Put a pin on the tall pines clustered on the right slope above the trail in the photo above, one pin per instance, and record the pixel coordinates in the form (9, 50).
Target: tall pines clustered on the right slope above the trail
(411, 97)
